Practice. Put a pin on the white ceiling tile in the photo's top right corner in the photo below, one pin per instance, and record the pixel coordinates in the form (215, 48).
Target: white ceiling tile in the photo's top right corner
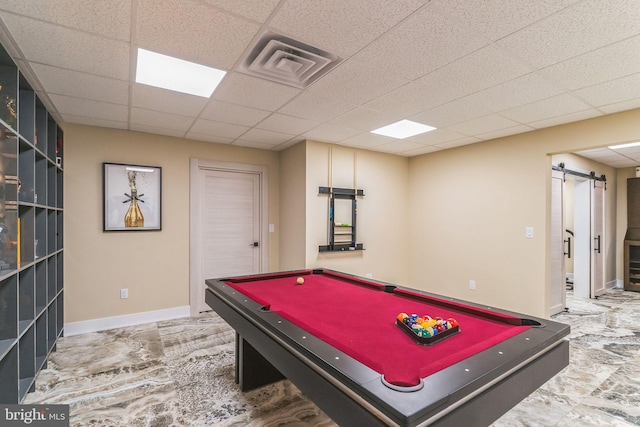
(580, 28)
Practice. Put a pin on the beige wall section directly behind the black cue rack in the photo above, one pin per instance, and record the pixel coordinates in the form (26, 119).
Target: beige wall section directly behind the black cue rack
(382, 214)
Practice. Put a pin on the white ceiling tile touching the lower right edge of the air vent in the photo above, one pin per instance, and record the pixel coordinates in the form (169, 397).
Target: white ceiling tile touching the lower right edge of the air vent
(355, 83)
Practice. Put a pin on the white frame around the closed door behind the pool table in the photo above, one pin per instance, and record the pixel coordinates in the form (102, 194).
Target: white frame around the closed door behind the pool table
(197, 165)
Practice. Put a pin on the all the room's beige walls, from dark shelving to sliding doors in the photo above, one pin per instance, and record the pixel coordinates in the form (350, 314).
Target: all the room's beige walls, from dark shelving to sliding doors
(433, 222)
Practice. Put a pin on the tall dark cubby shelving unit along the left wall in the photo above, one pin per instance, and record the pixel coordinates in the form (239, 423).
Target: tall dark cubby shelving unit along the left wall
(31, 245)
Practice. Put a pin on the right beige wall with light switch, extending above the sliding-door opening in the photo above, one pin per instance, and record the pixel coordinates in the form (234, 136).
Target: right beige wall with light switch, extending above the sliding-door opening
(469, 208)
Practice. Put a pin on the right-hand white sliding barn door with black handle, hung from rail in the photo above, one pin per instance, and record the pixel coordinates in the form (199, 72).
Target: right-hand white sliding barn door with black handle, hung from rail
(597, 239)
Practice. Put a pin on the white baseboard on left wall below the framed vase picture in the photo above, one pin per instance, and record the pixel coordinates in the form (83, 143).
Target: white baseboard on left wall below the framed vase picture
(105, 323)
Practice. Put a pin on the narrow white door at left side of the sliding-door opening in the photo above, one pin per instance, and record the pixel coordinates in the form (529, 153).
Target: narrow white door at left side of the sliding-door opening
(558, 281)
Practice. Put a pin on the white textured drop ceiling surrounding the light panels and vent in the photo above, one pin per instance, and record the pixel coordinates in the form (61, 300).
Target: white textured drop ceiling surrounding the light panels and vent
(475, 69)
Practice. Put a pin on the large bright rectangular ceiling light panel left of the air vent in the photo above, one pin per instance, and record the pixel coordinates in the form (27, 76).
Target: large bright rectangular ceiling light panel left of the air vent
(167, 72)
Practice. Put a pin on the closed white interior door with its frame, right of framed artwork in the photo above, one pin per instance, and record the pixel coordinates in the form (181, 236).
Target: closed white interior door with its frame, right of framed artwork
(228, 236)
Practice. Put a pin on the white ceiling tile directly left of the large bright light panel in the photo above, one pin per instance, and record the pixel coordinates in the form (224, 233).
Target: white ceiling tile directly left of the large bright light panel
(75, 50)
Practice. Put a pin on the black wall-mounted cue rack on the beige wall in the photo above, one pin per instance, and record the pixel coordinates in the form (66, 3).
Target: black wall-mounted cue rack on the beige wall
(342, 235)
